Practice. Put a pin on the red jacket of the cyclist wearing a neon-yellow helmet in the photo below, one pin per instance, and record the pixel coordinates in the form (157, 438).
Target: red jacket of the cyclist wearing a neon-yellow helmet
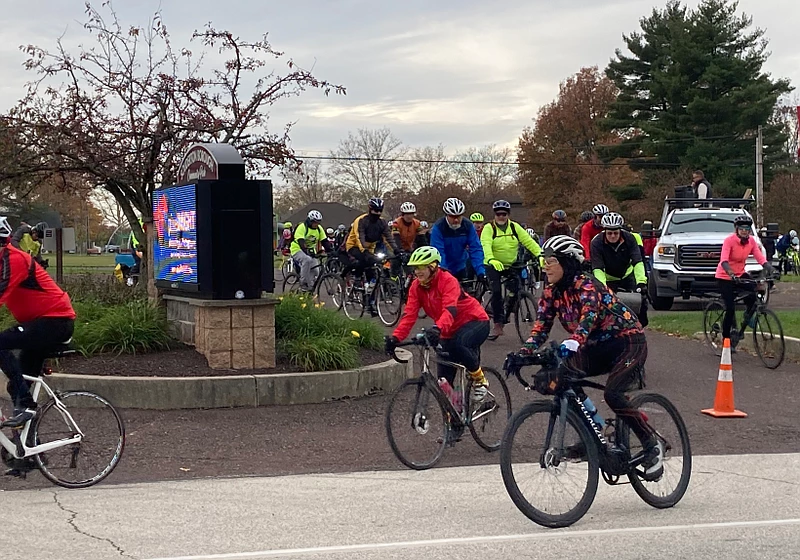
(443, 301)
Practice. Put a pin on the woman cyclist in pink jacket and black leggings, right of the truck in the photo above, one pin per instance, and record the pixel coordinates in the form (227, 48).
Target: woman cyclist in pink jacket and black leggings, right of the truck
(735, 250)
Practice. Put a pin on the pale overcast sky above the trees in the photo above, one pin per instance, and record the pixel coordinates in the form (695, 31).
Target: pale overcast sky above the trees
(461, 73)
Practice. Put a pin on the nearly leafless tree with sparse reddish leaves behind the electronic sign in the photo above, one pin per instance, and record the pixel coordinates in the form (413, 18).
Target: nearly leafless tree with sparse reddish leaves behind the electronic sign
(131, 104)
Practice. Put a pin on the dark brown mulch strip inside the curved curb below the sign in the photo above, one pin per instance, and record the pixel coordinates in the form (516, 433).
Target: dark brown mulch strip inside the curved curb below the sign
(179, 362)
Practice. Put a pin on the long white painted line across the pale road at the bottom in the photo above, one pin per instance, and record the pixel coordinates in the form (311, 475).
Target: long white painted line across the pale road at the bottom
(551, 534)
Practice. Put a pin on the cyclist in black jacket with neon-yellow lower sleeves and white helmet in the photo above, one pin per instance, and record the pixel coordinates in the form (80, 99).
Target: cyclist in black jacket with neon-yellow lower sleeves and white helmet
(617, 260)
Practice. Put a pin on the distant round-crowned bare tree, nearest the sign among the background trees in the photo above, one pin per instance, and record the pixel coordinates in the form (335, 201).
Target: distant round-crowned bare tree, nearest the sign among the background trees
(367, 162)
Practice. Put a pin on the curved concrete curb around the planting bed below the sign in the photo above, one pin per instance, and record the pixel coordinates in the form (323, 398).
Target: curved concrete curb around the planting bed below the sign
(165, 393)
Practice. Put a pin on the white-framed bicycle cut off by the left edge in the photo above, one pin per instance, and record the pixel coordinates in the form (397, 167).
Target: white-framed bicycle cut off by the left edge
(74, 432)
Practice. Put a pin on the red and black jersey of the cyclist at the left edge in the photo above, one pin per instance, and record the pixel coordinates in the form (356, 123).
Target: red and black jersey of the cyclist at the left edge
(28, 291)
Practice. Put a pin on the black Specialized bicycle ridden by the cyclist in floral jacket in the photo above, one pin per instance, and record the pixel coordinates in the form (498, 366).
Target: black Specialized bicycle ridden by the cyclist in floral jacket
(571, 449)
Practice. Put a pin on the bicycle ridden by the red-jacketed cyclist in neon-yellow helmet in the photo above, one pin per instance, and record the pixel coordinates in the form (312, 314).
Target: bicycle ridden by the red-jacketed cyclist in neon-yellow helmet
(421, 421)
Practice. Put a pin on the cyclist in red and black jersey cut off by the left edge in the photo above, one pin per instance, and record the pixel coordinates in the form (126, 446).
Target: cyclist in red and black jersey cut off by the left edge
(46, 321)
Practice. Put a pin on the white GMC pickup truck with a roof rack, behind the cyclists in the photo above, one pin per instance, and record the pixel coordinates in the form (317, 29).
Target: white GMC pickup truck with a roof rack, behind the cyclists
(689, 246)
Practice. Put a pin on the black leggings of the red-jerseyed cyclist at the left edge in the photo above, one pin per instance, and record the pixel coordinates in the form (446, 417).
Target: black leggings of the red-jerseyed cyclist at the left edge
(34, 340)
